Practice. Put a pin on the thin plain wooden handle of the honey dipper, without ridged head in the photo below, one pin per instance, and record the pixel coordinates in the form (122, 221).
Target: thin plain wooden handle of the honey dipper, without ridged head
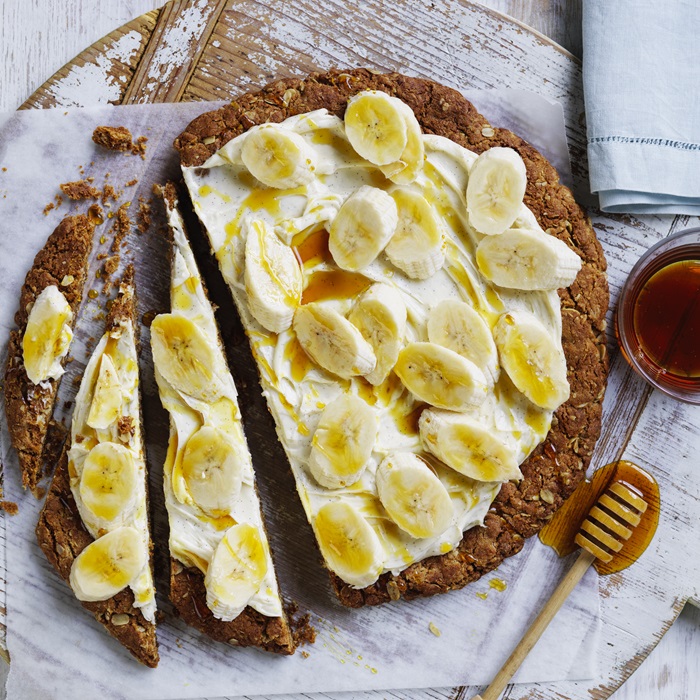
(539, 625)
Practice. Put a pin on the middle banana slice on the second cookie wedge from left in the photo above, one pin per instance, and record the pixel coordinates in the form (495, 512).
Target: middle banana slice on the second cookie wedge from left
(109, 481)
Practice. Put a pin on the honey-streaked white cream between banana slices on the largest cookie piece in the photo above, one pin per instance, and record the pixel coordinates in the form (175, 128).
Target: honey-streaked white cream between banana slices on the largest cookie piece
(225, 194)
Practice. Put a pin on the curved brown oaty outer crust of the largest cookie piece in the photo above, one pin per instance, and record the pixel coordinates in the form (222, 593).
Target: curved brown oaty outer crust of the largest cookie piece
(558, 464)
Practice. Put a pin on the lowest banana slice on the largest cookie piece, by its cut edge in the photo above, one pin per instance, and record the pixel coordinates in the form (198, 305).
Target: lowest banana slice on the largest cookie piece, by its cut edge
(348, 543)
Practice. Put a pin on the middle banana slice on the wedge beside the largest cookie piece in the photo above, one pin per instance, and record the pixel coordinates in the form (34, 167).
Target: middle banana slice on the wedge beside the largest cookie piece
(212, 470)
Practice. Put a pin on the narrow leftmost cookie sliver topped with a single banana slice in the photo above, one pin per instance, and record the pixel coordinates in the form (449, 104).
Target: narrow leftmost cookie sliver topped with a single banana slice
(49, 301)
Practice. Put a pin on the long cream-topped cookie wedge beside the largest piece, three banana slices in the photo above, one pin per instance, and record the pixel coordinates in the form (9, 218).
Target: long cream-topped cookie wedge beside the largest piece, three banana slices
(222, 577)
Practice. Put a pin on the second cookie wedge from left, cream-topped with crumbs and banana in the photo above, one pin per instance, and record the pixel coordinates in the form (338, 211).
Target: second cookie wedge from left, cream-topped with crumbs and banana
(96, 517)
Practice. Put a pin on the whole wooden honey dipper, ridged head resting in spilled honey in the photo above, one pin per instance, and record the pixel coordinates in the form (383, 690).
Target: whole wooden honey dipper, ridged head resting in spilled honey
(608, 525)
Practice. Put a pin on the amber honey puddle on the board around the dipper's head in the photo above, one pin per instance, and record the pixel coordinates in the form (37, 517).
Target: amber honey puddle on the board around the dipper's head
(561, 530)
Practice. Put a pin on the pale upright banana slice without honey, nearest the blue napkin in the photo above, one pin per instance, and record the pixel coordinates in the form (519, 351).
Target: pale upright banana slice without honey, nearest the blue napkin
(495, 190)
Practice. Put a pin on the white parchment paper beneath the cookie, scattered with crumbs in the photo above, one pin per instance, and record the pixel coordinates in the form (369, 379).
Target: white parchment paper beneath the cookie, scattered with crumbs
(57, 648)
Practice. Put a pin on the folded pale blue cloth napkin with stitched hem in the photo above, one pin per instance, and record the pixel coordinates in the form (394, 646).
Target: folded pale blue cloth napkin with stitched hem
(641, 77)
